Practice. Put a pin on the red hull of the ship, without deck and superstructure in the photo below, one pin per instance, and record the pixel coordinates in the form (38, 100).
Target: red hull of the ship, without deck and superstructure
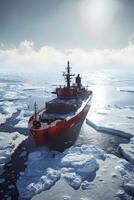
(52, 135)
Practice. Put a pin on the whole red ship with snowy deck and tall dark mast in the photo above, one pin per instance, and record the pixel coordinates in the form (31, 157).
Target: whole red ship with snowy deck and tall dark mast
(62, 116)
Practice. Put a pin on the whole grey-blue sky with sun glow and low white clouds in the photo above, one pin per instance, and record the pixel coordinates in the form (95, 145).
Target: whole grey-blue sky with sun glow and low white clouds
(47, 32)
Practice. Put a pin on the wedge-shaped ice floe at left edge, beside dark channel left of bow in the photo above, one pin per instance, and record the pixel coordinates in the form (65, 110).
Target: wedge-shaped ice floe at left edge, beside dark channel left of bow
(8, 143)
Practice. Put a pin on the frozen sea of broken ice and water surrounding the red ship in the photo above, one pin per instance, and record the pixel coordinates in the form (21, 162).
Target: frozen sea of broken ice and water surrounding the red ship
(98, 166)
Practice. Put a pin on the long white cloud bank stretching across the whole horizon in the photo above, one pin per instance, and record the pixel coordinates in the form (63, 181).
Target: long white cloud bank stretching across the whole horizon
(26, 57)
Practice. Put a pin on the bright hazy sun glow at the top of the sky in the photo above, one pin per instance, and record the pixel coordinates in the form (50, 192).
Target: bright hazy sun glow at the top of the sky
(96, 13)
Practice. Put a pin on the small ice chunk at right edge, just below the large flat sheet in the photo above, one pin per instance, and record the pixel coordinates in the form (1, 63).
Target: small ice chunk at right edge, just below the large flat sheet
(127, 150)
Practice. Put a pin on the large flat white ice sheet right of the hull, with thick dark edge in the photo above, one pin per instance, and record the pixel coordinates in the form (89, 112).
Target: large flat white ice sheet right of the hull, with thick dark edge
(113, 120)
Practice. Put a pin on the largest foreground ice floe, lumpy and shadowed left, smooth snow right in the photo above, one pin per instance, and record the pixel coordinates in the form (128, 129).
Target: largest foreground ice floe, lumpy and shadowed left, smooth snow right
(114, 178)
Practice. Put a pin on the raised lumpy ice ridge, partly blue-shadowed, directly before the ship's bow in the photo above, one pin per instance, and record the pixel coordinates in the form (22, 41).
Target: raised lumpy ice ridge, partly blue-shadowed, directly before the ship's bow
(45, 168)
